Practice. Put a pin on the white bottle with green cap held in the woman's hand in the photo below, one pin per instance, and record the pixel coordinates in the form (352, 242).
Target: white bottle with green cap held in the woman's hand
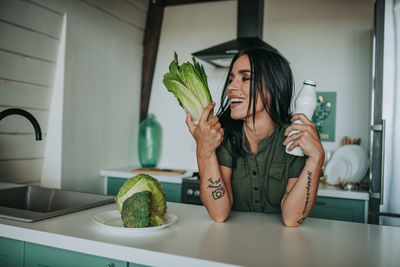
(306, 102)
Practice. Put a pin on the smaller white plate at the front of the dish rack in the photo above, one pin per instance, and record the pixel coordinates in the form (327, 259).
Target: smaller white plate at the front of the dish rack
(337, 170)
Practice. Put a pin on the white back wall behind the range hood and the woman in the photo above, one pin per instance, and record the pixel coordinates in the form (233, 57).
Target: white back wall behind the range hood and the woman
(326, 41)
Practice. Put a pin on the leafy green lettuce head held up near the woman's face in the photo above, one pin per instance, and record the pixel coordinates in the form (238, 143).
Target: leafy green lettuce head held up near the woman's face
(188, 83)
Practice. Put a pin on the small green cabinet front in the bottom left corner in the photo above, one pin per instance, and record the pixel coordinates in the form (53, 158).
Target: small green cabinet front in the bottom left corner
(11, 252)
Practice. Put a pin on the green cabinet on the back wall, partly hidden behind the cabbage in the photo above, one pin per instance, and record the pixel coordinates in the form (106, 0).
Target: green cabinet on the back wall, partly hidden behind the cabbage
(172, 190)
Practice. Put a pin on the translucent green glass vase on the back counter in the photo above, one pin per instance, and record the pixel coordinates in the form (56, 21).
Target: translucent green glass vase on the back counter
(149, 142)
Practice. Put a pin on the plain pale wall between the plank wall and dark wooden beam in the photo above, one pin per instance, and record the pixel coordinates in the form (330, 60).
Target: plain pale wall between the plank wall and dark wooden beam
(103, 57)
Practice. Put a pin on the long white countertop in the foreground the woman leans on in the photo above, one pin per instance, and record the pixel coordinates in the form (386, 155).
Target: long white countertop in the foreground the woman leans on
(250, 239)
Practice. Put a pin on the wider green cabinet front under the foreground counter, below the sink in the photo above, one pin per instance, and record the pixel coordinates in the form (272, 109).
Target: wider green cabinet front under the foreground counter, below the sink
(39, 255)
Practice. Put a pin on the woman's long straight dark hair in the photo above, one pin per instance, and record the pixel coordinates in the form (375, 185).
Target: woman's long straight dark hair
(269, 69)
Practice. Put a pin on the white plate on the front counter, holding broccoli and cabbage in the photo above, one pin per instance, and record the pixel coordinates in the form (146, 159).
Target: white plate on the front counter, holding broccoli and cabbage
(111, 220)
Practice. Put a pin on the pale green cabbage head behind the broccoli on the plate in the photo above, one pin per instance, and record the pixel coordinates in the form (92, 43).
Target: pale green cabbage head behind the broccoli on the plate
(140, 183)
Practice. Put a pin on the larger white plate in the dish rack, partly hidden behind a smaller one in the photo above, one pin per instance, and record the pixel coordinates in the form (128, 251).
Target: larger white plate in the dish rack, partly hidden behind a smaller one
(358, 159)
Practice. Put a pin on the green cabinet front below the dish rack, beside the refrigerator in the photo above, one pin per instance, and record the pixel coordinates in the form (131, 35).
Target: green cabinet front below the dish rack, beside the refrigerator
(341, 209)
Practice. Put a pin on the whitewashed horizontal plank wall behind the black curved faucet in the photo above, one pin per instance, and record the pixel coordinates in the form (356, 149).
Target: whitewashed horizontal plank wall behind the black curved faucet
(29, 40)
